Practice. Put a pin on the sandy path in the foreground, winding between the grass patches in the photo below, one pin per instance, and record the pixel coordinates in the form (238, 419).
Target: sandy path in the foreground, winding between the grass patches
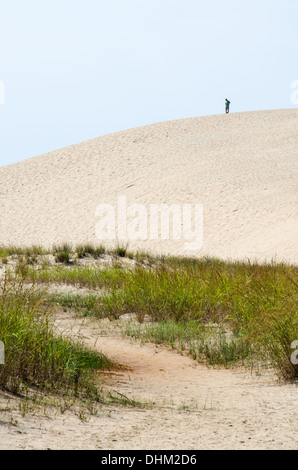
(192, 407)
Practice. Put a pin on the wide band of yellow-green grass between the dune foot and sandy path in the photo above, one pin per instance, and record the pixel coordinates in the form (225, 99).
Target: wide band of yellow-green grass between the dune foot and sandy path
(252, 307)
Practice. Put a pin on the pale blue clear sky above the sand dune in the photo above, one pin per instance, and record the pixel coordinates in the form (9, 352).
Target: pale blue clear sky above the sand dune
(72, 70)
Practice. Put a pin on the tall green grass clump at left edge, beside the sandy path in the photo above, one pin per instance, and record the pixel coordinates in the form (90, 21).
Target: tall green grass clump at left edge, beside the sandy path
(34, 355)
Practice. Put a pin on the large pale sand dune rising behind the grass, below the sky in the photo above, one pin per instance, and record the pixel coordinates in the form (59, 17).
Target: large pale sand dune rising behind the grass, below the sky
(242, 167)
